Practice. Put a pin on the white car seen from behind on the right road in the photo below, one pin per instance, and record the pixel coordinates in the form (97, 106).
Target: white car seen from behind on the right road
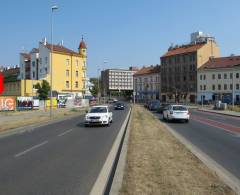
(176, 112)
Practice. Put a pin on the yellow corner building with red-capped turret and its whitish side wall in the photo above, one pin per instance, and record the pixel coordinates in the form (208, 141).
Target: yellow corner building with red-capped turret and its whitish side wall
(68, 68)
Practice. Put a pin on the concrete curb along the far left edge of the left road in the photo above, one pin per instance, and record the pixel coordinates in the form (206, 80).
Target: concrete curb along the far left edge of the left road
(32, 127)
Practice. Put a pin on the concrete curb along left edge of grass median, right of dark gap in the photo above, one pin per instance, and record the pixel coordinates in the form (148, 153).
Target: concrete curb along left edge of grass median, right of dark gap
(119, 173)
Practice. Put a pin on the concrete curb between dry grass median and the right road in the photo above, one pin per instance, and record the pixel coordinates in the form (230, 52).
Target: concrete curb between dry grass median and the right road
(223, 174)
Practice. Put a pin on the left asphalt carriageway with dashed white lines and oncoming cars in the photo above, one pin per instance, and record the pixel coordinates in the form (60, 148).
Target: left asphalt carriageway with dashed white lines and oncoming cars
(61, 158)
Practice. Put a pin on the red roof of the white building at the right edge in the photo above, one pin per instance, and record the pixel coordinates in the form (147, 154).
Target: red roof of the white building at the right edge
(223, 62)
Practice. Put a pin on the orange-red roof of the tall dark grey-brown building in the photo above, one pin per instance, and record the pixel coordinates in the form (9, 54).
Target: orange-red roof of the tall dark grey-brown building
(183, 49)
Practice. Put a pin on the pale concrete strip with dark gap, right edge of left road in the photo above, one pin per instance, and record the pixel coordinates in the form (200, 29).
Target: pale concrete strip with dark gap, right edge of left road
(101, 184)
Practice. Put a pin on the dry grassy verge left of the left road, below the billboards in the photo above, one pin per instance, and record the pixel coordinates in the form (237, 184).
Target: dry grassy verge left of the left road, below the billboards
(11, 120)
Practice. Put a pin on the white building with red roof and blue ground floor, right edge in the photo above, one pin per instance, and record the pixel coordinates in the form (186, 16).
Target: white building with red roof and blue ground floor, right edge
(219, 79)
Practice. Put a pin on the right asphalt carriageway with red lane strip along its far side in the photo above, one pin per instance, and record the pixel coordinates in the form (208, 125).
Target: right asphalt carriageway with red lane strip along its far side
(216, 135)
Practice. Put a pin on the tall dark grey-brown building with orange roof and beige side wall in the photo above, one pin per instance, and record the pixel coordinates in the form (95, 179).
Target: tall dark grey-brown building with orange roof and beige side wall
(179, 68)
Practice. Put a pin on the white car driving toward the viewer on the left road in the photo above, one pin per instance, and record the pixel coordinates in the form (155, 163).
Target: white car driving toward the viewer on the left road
(98, 115)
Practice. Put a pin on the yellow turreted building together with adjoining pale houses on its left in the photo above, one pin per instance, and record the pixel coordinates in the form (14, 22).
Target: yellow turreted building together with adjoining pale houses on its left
(68, 67)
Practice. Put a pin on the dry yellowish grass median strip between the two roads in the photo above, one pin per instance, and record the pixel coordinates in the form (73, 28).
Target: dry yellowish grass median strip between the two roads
(157, 163)
